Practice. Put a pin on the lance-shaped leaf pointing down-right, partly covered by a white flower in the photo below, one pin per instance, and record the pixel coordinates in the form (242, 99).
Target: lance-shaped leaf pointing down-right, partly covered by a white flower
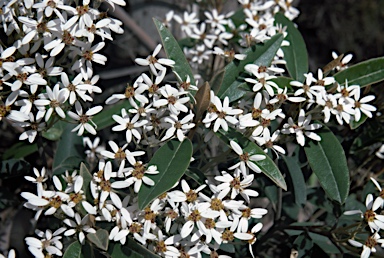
(267, 166)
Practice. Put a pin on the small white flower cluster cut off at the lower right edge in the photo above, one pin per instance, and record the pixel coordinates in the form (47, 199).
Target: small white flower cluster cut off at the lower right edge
(375, 220)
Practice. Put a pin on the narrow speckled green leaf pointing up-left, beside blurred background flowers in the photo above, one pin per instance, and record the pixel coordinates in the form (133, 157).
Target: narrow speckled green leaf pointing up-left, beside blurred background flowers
(174, 52)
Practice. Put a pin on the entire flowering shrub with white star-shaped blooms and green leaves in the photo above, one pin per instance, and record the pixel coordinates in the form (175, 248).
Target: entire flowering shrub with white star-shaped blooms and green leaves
(213, 169)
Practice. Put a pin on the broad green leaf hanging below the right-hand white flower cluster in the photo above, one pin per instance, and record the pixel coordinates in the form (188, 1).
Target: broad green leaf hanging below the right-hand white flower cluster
(327, 160)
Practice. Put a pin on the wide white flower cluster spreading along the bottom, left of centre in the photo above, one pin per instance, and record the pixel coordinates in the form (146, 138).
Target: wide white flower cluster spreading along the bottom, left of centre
(182, 221)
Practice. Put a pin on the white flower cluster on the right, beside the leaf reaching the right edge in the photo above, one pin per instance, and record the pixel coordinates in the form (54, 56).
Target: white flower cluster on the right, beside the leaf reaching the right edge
(322, 96)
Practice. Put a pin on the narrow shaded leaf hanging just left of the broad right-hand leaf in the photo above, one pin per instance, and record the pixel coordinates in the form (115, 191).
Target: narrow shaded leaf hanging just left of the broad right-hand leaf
(297, 179)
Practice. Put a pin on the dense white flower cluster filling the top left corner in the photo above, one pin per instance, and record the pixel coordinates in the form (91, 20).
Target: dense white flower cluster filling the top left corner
(37, 85)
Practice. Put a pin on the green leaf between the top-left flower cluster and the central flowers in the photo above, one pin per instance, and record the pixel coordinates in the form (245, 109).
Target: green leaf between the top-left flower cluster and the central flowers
(104, 118)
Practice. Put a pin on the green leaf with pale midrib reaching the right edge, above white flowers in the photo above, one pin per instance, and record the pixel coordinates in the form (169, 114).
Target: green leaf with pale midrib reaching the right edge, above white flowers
(365, 73)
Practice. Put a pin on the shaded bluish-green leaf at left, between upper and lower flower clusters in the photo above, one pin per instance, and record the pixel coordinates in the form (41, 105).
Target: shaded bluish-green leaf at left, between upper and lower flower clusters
(69, 152)
